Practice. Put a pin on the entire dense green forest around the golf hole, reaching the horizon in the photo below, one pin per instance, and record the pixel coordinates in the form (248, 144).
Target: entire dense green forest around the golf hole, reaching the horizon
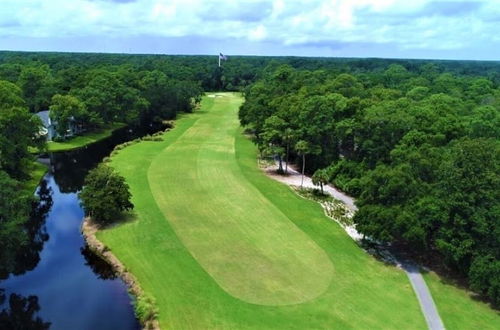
(417, 142)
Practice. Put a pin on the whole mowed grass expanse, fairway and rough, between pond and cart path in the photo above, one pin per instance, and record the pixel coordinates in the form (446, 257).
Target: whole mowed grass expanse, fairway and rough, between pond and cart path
(220, 245)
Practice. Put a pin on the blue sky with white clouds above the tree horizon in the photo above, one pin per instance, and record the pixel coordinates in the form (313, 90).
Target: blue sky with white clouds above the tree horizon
(336, 28)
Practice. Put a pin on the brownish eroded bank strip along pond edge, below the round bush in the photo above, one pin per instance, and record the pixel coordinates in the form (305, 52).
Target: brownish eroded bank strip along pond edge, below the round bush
(89, 230)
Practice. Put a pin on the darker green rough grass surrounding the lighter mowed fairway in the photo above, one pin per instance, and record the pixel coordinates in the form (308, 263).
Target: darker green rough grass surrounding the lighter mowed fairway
(363, 293)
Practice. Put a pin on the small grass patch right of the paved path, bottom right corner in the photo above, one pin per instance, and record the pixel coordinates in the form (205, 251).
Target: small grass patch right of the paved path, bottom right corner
(457, 308)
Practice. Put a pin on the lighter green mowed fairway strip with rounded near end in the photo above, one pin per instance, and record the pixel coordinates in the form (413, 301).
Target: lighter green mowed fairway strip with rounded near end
(249, 247)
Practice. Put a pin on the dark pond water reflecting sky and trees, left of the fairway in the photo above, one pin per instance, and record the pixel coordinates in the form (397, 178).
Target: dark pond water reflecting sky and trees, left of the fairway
(57, 282)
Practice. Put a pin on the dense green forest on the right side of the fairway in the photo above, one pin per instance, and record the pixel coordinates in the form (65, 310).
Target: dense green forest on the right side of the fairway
(416, 143)
